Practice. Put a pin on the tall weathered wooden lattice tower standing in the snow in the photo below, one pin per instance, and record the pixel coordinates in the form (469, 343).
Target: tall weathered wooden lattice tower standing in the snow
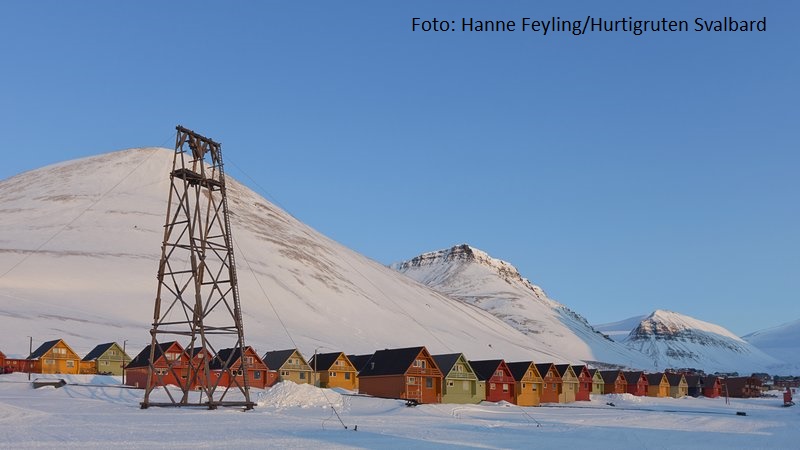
(197, 300)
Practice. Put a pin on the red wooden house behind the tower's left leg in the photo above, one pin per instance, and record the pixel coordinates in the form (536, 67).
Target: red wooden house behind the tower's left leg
(170, 366)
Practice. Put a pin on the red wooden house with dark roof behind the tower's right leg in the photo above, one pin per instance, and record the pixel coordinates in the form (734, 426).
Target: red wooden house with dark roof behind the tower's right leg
(258, 375)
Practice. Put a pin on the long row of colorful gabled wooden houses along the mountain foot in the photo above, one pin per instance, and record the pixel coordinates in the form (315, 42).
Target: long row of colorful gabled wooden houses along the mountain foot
(410, 373)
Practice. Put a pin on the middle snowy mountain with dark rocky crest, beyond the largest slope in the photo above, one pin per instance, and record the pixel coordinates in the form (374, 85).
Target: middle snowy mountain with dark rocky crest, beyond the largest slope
(496, 286)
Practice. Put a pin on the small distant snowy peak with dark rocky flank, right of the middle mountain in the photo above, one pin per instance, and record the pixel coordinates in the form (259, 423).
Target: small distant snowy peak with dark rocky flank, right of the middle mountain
(675, 340)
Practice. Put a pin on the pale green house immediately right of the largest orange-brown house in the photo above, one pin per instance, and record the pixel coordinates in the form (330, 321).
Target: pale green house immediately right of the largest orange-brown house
(459, 382)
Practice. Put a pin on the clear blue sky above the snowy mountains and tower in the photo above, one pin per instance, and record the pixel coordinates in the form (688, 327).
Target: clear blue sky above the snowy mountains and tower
(621, 173)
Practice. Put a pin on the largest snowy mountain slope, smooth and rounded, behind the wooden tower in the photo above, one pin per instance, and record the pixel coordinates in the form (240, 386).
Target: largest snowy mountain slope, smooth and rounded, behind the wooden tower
(79, 251)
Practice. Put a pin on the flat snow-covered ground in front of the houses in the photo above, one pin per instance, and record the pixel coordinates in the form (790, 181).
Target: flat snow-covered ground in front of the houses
(102, 415)
